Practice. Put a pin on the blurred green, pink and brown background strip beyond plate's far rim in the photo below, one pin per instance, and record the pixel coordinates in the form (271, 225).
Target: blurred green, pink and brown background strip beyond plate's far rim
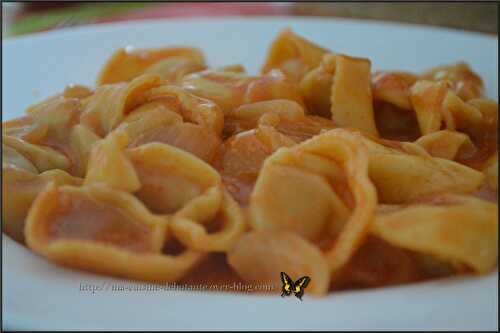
(25, 18)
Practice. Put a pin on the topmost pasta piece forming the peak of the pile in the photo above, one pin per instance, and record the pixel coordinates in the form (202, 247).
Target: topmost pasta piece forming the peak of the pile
(293, 55)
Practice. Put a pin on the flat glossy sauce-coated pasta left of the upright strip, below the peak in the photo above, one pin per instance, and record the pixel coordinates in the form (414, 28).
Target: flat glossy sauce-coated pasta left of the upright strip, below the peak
(229, 90)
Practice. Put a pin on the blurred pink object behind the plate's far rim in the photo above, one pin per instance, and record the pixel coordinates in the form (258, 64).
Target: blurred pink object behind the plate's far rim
(203, 9)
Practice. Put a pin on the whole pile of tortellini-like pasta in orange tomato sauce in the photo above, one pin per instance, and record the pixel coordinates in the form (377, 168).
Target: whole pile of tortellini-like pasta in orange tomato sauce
(319, 165)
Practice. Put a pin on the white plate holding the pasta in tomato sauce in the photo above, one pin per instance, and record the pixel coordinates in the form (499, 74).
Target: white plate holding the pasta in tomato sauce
(40, 295)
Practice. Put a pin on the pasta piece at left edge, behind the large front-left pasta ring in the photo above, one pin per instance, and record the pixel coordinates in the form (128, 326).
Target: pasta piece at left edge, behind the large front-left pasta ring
(19, 190)
